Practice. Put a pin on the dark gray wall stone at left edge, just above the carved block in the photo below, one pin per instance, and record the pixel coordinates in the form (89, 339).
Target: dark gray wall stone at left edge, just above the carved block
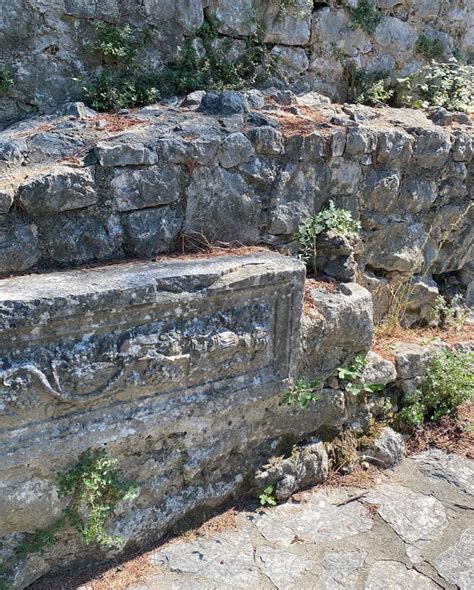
(19, 248)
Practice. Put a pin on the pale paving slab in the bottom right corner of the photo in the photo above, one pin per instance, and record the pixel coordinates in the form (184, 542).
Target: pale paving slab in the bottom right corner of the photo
(456, 565)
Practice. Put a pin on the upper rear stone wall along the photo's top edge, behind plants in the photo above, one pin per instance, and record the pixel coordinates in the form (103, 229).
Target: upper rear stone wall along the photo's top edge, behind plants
(42, 42)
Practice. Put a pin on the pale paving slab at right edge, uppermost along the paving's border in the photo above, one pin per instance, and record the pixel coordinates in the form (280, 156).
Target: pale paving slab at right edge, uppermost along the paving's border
(456, 470)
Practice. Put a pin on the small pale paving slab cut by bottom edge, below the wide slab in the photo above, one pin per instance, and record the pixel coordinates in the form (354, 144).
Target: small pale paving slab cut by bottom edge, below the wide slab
(282, 567)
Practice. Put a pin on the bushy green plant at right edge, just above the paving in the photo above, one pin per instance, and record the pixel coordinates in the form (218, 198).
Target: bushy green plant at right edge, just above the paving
(448, 383)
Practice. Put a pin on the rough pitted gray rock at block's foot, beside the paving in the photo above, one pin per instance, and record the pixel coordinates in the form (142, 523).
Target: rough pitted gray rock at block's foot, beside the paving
(307, 465)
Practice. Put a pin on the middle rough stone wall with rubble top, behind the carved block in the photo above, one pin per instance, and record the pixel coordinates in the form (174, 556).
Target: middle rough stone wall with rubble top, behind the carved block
(240, 169)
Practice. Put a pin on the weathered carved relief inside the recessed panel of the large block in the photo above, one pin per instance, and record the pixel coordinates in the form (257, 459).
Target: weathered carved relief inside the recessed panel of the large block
(148, 358)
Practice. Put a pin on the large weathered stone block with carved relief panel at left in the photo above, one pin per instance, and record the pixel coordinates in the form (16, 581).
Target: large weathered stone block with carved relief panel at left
(177, 368)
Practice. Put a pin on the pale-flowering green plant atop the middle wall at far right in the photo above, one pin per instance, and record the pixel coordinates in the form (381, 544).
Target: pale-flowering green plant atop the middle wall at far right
(449, 85)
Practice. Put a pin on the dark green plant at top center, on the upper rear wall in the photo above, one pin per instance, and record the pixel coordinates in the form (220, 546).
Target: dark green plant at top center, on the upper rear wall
(212, 68)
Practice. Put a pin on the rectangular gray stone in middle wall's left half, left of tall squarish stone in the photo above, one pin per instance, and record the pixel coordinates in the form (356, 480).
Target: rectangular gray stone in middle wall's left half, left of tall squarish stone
(137, 189)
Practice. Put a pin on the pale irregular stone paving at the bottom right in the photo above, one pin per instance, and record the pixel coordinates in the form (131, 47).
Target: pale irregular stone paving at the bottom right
(414, 530)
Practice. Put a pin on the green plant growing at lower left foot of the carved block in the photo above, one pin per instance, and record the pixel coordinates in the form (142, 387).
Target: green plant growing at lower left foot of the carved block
(94, 489)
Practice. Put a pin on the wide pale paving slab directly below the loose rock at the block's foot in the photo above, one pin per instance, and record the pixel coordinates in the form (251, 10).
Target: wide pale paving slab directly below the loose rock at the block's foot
(316, 521)
